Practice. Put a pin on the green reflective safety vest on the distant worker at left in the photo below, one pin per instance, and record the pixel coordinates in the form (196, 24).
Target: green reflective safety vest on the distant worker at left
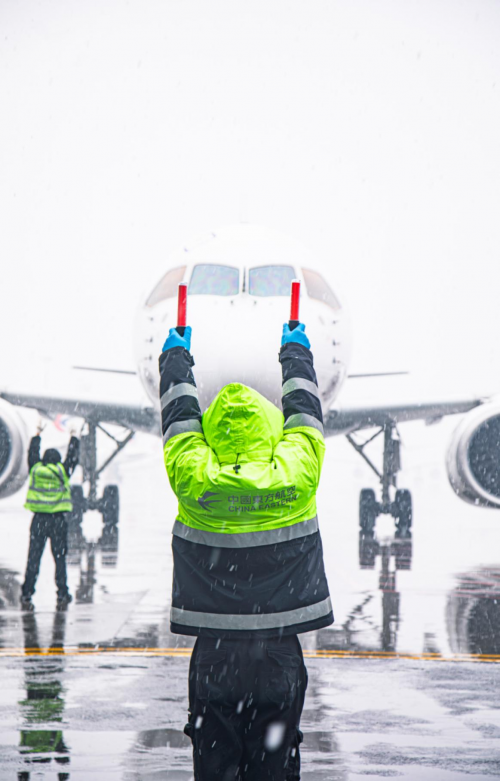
(49, 490)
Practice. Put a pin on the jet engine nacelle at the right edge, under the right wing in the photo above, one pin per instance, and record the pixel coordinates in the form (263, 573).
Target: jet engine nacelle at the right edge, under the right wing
(473, 459)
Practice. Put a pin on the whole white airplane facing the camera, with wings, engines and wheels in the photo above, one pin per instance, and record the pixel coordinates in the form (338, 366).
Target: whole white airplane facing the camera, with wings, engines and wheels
(238, 282)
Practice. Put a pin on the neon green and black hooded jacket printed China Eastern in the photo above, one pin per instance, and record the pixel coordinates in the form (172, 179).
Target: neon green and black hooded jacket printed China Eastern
(247, 551)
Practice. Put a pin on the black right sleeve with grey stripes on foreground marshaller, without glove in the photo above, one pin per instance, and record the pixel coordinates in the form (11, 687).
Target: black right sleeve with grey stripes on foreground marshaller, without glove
(300, 387)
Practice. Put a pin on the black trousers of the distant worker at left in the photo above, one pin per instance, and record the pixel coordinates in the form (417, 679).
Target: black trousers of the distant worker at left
(45, 526)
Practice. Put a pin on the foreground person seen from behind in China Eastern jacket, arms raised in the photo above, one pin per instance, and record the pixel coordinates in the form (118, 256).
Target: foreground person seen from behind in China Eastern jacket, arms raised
(248, 560)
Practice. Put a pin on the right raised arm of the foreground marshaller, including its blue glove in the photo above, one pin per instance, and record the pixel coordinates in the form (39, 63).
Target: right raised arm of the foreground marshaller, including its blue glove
(303, 427)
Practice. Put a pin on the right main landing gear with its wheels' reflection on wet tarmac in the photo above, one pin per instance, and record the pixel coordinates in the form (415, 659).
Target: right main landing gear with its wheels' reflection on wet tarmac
(400, 507)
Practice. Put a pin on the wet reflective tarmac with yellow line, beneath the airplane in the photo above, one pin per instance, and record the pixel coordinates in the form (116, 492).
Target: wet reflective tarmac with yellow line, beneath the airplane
(405, 685)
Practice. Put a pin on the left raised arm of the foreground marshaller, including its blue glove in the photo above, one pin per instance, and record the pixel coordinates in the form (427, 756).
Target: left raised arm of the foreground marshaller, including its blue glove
(184, 445)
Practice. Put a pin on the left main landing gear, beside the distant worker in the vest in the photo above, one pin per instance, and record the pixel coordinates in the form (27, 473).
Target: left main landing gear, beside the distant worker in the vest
(109, 503)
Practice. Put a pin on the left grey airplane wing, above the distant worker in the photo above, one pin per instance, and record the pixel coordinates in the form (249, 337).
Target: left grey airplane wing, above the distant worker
(133, 417)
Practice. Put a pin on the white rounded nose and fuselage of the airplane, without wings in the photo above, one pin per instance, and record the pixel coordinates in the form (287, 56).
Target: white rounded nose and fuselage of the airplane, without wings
(236, 337)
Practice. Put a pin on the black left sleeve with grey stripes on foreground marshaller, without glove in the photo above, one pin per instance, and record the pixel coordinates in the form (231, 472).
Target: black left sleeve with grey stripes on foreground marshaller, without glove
(180, 408)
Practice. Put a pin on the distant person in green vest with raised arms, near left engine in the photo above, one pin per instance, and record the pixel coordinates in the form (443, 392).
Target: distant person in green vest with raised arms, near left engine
(49, 497)
